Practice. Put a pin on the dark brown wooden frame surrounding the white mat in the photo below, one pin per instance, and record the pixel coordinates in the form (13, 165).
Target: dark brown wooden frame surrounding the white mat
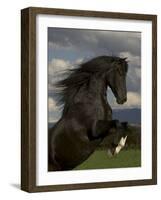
(28, 98)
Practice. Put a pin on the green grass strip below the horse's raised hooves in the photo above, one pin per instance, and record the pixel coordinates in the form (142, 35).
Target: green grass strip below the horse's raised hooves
(100, 160)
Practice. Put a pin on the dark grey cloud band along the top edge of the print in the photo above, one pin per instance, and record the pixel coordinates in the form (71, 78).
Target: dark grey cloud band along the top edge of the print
(99, 42)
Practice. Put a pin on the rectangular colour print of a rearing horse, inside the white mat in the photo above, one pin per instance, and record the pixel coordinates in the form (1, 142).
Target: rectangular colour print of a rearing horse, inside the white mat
(94, 99)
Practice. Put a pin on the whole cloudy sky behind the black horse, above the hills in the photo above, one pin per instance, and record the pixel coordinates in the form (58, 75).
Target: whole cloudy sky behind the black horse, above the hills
(67, 48)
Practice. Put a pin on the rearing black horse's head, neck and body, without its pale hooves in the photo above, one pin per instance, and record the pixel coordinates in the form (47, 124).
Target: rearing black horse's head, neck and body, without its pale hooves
(87, 116)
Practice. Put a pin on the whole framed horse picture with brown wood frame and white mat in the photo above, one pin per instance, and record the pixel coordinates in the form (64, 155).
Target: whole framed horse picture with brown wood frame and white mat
(88, 99)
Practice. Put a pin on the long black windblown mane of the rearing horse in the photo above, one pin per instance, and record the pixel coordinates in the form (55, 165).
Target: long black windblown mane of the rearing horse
(68, 87)
